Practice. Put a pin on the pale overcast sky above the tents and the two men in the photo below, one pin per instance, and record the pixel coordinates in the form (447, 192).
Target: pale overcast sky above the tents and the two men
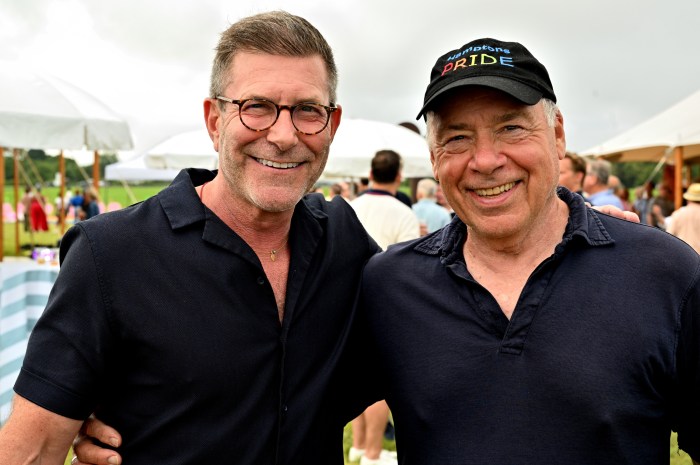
(613, 63)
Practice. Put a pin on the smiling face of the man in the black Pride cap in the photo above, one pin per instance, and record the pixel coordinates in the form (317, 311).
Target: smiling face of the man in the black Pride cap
(497, 161)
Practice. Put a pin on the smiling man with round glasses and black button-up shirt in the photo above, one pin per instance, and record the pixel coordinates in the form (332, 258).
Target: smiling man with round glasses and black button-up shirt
(206, 323)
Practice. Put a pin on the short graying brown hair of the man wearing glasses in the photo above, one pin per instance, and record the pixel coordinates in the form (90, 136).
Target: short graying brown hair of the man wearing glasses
(275, 33)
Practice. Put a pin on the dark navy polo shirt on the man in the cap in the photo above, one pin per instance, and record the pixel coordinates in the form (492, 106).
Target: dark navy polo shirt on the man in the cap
(598, 363)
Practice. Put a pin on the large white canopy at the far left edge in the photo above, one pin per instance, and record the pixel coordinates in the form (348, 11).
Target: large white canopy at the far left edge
(39, 111)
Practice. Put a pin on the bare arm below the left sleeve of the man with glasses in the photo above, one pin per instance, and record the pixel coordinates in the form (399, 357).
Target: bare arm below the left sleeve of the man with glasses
(34, 435)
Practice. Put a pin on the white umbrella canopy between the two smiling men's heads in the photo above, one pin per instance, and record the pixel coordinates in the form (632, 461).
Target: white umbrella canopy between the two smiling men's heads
(357, 140)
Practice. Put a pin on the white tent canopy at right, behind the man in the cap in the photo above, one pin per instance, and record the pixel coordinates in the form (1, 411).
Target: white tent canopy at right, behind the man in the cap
(654, 139)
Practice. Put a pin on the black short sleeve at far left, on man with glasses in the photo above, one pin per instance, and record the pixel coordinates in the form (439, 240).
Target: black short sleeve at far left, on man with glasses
(69, 347)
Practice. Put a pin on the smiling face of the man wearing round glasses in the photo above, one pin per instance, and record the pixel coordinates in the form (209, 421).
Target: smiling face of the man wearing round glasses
(271, 170)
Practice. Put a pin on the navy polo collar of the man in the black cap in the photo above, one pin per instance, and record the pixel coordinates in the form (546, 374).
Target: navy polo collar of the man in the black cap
(584, 223)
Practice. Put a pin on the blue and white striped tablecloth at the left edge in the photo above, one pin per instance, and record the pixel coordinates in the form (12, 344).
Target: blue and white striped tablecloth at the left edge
(24, 291)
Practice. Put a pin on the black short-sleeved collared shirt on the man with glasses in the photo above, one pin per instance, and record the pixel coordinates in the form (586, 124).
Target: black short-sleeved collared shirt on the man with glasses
(163, 322)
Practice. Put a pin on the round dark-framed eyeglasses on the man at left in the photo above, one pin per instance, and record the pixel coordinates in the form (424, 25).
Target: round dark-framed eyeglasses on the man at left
(259, 114)
